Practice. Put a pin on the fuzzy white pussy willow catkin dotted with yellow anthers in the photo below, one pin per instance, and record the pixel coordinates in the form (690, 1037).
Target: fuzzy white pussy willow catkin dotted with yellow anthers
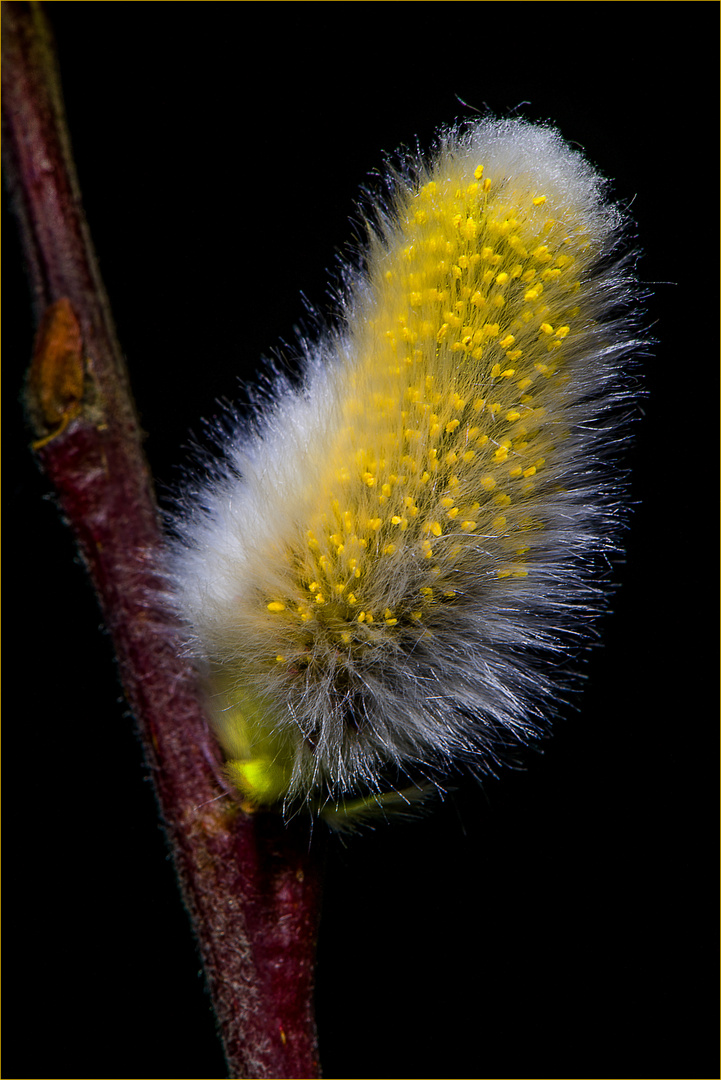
(386, 574)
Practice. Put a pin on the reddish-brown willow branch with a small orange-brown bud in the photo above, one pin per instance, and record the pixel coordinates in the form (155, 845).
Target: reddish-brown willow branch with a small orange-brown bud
(250, 884)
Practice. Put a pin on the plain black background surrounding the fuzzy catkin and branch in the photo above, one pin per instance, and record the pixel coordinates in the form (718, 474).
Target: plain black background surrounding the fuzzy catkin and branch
(560, 922)
